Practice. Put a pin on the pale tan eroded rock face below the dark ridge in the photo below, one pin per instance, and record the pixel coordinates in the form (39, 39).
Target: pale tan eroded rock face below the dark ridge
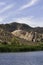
(30, 36)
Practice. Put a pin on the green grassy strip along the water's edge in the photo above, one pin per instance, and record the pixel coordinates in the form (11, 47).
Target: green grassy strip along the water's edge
(21, 48)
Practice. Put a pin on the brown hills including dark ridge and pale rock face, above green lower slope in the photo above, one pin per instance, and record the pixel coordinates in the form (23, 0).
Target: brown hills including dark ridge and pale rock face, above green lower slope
(23, 31)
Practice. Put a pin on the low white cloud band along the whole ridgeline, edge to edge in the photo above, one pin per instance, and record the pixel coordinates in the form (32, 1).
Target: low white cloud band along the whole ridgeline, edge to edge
(33, 22)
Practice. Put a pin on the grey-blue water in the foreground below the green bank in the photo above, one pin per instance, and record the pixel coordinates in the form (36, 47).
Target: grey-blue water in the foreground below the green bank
(28, 58)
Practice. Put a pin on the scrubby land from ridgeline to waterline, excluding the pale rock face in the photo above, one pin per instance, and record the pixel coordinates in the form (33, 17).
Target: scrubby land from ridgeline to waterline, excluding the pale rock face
(10, 43)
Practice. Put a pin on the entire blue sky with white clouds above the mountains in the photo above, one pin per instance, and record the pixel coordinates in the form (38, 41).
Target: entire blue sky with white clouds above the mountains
(23, 11)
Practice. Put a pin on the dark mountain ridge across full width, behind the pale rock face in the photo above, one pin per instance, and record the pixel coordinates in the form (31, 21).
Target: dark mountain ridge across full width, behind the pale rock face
(15, 26)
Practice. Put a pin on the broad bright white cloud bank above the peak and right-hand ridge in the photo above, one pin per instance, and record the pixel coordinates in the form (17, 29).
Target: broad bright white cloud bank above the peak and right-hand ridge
(33, 22)
